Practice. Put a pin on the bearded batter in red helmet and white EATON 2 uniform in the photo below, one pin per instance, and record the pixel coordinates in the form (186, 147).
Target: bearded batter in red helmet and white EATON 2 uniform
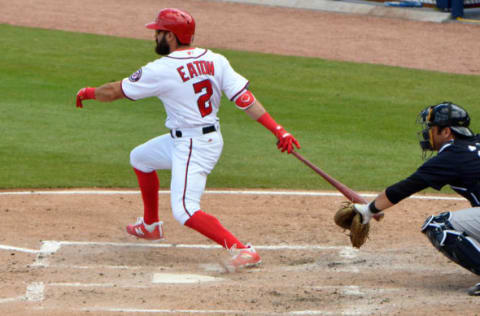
(189, 81)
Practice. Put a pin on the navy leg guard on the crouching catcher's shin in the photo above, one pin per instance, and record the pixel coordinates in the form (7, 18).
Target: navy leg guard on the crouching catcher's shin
(455, 245)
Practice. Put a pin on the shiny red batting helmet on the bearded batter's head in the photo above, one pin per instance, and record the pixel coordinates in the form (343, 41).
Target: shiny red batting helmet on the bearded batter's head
(177, 21)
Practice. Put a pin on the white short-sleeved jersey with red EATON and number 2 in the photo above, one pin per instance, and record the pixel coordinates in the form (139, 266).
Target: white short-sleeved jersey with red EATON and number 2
(189, 83)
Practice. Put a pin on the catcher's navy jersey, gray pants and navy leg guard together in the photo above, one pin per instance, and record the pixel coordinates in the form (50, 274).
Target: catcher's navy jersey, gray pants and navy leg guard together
(456, 234)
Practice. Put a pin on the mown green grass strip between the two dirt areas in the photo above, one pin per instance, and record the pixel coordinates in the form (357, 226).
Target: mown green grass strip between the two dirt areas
(355, 121)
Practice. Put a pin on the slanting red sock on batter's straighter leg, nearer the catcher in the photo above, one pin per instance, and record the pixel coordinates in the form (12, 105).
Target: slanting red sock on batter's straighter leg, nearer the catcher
(210, 227)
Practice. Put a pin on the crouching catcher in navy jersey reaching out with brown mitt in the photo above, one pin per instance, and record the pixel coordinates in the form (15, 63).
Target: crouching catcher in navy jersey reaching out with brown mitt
(456, 234)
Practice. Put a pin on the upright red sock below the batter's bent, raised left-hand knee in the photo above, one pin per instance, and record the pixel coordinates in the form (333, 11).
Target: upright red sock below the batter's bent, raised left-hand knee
(149, 186)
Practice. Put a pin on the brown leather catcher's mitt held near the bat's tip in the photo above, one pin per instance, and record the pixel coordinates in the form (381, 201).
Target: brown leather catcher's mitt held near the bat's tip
(347, 218)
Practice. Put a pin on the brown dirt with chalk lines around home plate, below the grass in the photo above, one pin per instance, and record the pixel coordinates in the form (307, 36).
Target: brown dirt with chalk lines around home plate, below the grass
(74, 258)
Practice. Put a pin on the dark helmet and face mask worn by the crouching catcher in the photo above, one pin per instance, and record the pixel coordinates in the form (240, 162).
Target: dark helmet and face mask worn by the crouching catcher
(445, 114)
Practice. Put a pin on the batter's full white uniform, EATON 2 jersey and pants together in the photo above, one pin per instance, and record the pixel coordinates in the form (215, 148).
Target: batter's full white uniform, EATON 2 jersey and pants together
(190, 84)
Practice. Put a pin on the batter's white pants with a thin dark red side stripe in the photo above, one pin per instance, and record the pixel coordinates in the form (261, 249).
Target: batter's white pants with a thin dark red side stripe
(190, 158)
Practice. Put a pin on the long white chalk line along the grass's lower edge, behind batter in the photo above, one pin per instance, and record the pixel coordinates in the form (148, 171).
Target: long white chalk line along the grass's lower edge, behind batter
(233, 192)
